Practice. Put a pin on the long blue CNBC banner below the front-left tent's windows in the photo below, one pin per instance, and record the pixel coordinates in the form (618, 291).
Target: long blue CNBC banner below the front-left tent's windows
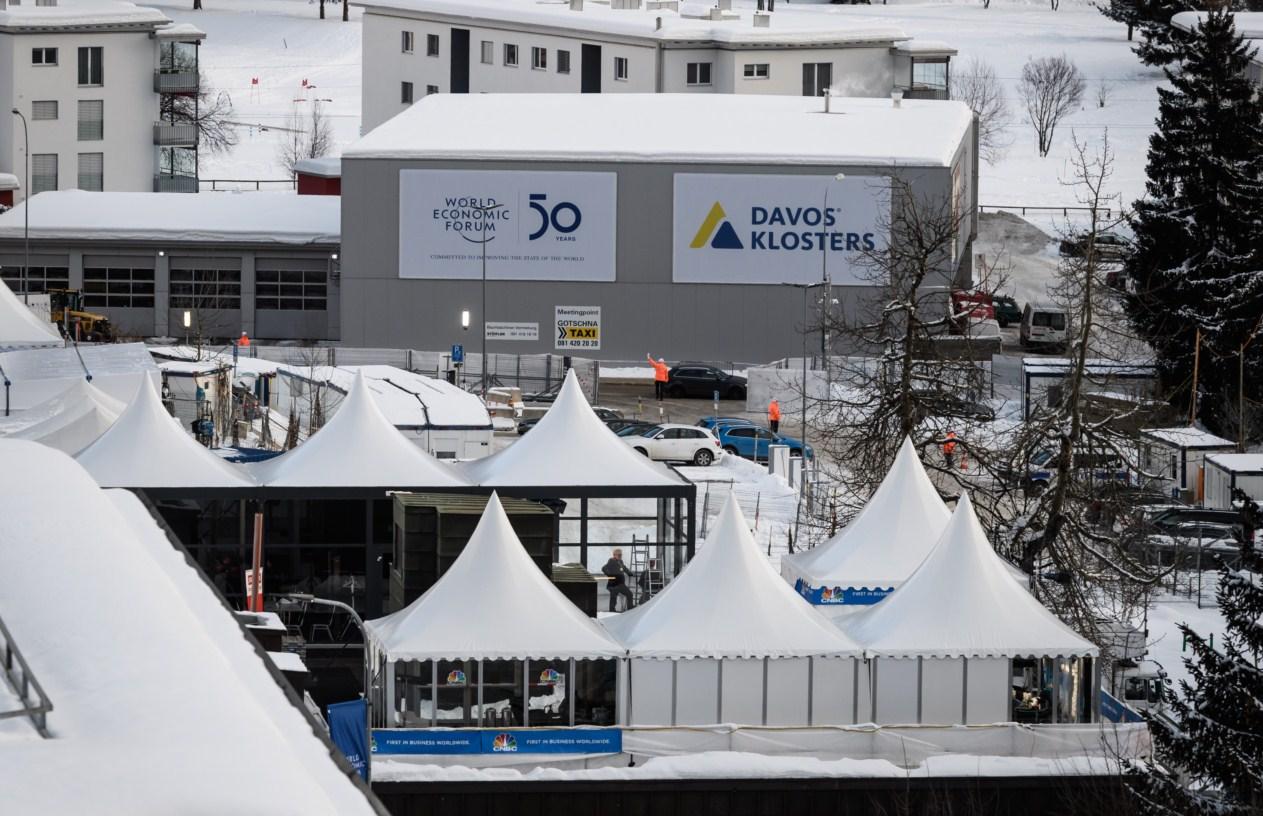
(522, 741)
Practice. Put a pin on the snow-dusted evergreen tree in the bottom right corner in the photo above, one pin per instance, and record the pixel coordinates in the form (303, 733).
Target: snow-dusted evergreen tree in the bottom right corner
(1218, 733)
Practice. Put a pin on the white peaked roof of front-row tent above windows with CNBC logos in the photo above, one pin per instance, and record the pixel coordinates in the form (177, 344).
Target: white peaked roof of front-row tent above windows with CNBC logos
(492, 604)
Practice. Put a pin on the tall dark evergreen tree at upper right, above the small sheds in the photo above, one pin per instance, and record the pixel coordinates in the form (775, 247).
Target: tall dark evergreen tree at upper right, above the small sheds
(1197, 261)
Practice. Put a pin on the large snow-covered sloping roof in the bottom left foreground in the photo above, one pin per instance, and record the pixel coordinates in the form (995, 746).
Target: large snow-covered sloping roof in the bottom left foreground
(143, 663)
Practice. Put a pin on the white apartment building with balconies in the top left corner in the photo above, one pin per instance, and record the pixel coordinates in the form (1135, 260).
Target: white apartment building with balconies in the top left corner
(105, 90)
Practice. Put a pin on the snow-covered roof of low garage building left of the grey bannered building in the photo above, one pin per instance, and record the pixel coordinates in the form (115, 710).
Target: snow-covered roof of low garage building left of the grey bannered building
(230, 218)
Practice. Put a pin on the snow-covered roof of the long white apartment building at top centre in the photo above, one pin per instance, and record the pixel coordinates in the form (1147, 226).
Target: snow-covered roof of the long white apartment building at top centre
(691, 25)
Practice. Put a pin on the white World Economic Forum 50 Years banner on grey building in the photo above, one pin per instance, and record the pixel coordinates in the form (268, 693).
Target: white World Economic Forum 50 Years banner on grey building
(536, 227)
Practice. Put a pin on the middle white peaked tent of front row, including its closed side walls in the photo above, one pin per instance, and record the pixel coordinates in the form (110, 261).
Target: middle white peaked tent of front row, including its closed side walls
(729, 642)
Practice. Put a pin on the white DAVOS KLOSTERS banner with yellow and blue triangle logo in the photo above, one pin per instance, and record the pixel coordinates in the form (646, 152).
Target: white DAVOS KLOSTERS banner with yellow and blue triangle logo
(776, 229)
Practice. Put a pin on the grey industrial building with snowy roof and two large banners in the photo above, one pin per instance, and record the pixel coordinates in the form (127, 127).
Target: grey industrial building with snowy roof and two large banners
(632, 224)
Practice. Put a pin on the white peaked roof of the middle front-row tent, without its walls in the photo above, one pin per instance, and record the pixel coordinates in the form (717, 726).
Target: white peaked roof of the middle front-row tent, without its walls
(728, 603)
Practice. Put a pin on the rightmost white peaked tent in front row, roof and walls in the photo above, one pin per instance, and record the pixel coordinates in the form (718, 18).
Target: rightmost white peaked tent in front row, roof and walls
(945, 641)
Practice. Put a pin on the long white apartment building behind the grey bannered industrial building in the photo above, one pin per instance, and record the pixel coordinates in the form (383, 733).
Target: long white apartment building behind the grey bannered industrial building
(414, 49)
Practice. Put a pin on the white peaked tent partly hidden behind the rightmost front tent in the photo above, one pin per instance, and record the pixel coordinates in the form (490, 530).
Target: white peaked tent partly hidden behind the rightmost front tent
(882, 546)
